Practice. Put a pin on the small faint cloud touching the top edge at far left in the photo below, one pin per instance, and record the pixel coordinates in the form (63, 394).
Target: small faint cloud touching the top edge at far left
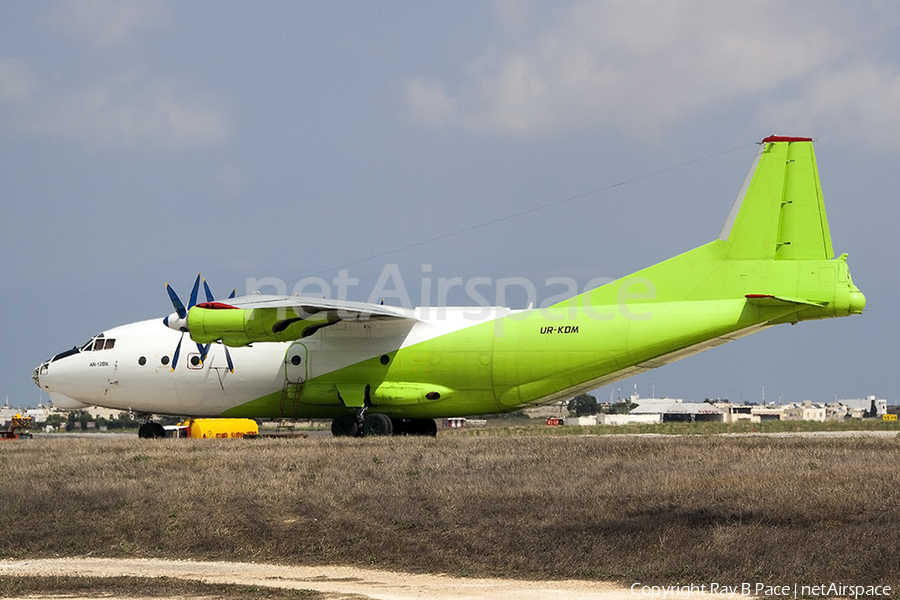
(107, 23)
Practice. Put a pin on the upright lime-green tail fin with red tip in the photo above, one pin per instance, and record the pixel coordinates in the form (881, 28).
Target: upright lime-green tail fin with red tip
(779, 213)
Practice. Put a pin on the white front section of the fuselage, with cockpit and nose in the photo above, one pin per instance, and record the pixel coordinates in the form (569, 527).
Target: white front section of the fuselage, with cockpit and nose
(129, 367)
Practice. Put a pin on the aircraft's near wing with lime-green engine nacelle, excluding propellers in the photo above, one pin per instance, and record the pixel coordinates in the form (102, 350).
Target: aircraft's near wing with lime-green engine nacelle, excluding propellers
(263, 318)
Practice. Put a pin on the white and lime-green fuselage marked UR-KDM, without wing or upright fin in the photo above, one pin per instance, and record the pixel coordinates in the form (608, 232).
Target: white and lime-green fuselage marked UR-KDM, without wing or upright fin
(438, 362)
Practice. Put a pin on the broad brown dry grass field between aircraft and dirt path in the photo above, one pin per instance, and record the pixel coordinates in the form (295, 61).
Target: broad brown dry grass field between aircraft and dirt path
(627, 508)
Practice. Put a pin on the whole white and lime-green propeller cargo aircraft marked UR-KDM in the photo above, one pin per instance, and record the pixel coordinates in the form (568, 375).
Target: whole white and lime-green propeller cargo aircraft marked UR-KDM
(377, 369)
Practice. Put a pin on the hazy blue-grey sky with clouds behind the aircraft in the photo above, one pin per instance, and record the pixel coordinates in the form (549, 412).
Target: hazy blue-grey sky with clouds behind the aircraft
(142, 142)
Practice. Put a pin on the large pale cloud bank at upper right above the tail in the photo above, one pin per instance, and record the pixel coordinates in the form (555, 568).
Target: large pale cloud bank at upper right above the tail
(640, 66)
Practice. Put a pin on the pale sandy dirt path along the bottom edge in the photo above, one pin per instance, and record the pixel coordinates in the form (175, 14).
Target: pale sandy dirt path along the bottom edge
(367, 583)
